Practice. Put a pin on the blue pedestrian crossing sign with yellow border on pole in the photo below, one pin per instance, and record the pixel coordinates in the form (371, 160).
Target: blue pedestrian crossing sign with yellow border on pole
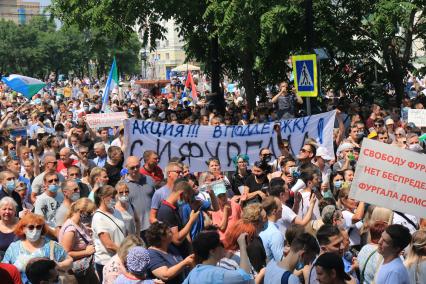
(305, 75)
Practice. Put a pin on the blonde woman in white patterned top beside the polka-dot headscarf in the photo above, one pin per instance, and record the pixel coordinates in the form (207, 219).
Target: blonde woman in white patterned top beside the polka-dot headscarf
(116, 265)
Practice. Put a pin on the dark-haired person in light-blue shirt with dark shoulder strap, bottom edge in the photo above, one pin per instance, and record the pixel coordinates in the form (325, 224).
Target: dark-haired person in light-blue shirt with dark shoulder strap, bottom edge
(303, 251)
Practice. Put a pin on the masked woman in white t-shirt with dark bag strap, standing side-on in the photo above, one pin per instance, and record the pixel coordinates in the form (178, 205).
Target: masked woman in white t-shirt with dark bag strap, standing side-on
(108, 227)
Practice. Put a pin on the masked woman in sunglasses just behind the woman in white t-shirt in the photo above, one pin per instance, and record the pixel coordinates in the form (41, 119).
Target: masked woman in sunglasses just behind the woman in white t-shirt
(126, 209)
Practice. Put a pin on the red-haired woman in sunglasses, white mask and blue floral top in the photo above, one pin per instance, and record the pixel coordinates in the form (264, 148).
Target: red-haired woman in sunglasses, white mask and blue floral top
(31, 231)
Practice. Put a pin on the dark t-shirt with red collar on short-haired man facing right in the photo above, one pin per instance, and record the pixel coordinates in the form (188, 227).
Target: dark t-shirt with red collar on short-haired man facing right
(169, 214)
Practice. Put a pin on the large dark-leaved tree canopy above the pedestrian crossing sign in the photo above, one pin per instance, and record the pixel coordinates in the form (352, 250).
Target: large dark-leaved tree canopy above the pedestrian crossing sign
(368, 41)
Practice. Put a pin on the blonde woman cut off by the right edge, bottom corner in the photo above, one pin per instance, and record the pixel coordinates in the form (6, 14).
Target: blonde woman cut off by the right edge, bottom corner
(416, 258)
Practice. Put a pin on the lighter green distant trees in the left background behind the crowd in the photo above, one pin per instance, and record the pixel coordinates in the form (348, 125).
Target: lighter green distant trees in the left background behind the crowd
(39, 47)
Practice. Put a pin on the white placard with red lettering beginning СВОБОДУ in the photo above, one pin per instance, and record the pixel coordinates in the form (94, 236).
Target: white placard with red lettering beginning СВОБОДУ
(390, 177)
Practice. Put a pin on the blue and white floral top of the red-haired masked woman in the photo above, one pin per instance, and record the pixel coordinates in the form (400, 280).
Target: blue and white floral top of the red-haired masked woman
(17, 255)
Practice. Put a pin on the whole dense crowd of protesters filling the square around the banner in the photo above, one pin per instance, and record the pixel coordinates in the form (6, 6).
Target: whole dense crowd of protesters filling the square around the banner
(73, 209)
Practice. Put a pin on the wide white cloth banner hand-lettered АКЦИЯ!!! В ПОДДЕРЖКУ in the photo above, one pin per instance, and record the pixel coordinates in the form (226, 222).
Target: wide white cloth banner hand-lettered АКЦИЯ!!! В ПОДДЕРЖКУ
(199, 143)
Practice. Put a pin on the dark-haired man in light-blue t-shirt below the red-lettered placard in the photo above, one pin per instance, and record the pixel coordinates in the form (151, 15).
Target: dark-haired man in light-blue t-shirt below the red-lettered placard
(394, 239)
